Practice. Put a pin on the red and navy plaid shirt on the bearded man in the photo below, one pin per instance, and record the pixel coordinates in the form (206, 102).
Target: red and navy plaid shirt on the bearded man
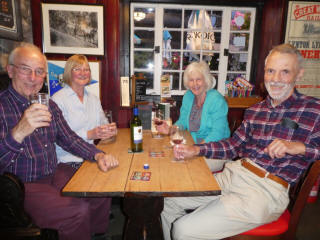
(261, 125)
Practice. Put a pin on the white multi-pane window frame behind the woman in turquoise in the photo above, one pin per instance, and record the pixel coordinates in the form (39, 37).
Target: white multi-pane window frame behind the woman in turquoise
(158, 30)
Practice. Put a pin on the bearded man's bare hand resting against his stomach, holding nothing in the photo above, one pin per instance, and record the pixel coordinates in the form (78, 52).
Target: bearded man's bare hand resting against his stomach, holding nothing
(279, 148)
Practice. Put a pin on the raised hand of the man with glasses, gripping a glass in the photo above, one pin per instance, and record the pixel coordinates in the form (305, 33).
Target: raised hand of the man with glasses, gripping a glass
(35, 116)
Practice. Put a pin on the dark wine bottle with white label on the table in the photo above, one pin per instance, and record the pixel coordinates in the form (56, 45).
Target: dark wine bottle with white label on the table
(136, 131)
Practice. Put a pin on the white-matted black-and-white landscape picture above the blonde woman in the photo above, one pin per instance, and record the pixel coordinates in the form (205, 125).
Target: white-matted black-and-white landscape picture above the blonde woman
(73, 28)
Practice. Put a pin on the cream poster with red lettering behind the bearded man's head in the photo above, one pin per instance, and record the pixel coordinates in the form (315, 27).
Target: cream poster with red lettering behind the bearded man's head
(303, 32)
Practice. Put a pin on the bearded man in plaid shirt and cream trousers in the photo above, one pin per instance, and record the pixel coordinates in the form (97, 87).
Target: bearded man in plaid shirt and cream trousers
(277, 141)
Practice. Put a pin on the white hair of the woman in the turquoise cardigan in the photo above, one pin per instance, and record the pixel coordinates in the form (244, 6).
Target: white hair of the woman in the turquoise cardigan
(202, 68)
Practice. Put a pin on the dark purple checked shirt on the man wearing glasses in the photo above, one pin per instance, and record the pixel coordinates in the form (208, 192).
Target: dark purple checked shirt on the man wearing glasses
(35, 157)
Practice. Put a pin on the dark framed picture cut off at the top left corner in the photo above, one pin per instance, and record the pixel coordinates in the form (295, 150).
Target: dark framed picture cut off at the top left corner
(10, 20)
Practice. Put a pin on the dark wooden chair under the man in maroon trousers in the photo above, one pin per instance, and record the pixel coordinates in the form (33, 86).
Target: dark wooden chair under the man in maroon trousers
(15, 223)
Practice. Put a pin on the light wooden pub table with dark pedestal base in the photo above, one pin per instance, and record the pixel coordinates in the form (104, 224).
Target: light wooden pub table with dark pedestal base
(143, 200)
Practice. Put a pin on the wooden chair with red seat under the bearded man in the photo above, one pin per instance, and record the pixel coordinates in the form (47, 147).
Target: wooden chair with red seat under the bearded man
(285, 227)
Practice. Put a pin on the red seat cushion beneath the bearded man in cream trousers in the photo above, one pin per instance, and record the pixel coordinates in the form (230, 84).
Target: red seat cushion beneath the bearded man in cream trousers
(271, 229)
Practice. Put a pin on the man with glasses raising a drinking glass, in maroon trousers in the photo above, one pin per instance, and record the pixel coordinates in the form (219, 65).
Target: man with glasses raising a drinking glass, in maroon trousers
(28, 134)
